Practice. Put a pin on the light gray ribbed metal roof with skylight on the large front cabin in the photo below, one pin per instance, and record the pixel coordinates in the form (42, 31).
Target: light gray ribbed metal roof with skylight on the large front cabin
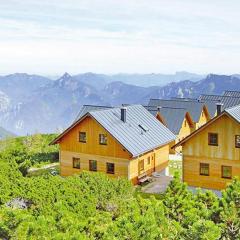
(131, 134)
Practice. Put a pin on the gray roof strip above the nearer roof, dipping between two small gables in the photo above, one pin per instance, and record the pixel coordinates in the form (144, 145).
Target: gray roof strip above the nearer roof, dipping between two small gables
(193, 107)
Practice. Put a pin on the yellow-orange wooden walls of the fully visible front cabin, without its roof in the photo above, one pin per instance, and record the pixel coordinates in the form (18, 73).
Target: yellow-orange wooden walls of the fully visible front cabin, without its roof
(113, 152)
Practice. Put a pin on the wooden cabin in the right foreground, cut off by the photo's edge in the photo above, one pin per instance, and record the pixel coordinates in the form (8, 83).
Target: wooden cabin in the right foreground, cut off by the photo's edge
(211, 154)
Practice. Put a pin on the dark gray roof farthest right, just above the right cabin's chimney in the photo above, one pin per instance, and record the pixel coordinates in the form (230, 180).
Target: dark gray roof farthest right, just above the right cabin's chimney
(228, 101)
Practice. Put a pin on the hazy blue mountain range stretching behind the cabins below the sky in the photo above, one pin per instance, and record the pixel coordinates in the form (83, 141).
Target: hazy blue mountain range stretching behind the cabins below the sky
(33, 103)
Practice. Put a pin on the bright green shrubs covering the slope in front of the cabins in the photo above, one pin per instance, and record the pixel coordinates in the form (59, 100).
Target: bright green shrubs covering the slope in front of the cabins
(92, 206)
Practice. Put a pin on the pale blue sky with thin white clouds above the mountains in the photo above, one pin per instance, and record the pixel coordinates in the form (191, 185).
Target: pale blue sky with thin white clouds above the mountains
(112, 36)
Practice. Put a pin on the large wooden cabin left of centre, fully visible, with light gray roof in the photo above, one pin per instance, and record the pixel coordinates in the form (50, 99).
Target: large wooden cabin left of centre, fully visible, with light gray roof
(121, 142)
